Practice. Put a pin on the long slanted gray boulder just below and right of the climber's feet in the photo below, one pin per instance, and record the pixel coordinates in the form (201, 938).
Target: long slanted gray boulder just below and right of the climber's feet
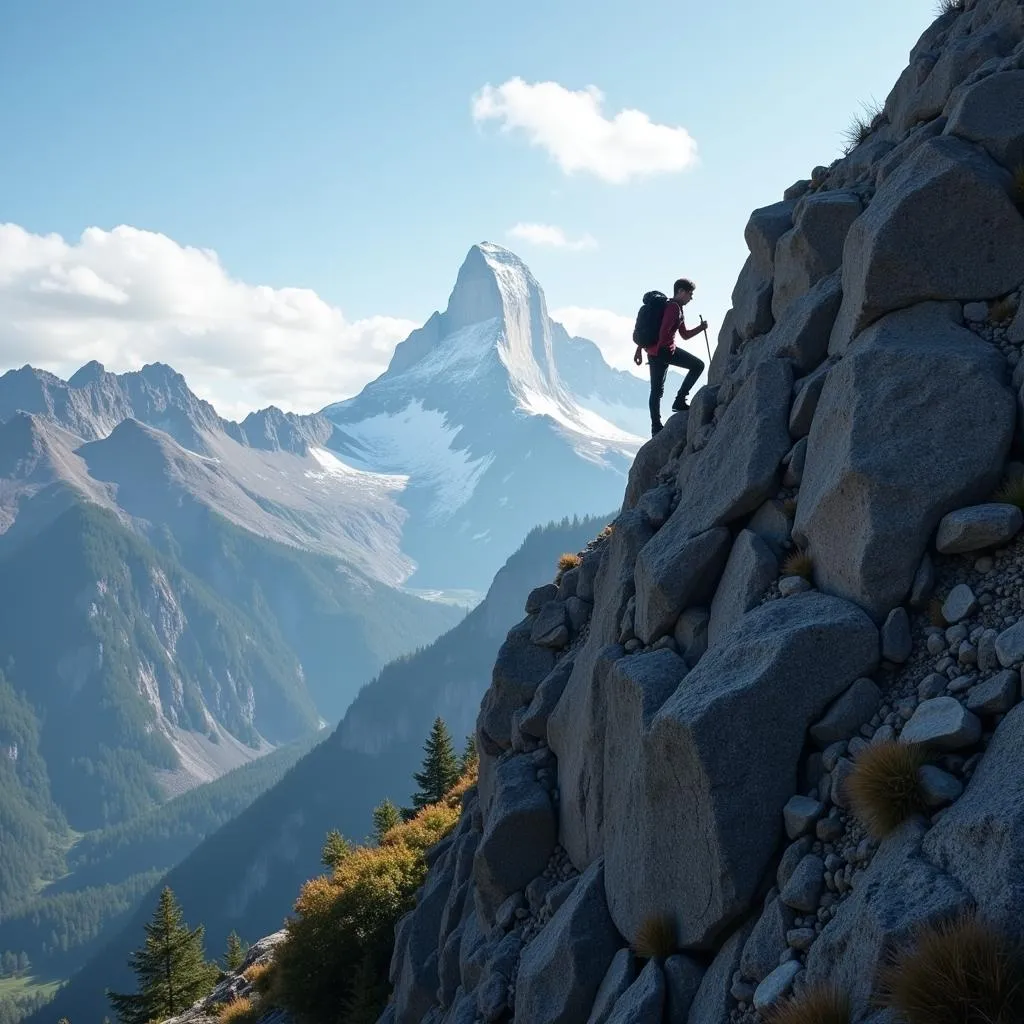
(739, 468)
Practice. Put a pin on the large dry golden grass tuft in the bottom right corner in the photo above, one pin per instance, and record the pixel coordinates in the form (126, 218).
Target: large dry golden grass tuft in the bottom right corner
(955, 972)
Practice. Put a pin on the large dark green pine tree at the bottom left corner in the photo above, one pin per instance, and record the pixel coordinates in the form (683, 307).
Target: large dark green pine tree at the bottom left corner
(172, 968)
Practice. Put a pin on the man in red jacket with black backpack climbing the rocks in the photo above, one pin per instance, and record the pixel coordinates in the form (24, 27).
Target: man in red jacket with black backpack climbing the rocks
(662, 351)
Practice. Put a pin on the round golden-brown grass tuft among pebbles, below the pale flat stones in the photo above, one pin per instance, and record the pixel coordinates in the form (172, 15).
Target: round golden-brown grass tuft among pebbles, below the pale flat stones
(884, 789)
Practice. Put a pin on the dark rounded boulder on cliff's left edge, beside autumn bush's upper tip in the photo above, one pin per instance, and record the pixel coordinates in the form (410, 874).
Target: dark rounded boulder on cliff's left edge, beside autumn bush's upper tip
(520, 834)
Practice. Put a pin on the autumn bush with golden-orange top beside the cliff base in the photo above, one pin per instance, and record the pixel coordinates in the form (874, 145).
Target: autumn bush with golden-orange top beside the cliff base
(342, 935)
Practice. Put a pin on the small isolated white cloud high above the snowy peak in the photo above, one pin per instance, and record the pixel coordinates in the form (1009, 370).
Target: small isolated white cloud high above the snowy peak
(572, 127)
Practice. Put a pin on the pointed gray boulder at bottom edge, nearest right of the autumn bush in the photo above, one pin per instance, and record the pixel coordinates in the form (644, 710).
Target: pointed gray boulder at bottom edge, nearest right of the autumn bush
(563, 969)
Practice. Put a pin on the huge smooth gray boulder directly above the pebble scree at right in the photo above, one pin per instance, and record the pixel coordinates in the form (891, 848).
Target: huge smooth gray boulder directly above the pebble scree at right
(873, 491)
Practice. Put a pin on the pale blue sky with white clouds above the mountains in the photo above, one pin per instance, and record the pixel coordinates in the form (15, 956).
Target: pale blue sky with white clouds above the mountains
(331, 148)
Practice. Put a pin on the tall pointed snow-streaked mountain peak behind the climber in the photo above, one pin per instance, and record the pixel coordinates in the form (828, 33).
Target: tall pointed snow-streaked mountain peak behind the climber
(475, 412)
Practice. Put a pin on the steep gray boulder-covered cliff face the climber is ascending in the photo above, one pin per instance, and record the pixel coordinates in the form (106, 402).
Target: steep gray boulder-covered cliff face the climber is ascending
(673, 737)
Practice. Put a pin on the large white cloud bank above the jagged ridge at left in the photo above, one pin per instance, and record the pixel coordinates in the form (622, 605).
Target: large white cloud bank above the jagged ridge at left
(129, 297)
